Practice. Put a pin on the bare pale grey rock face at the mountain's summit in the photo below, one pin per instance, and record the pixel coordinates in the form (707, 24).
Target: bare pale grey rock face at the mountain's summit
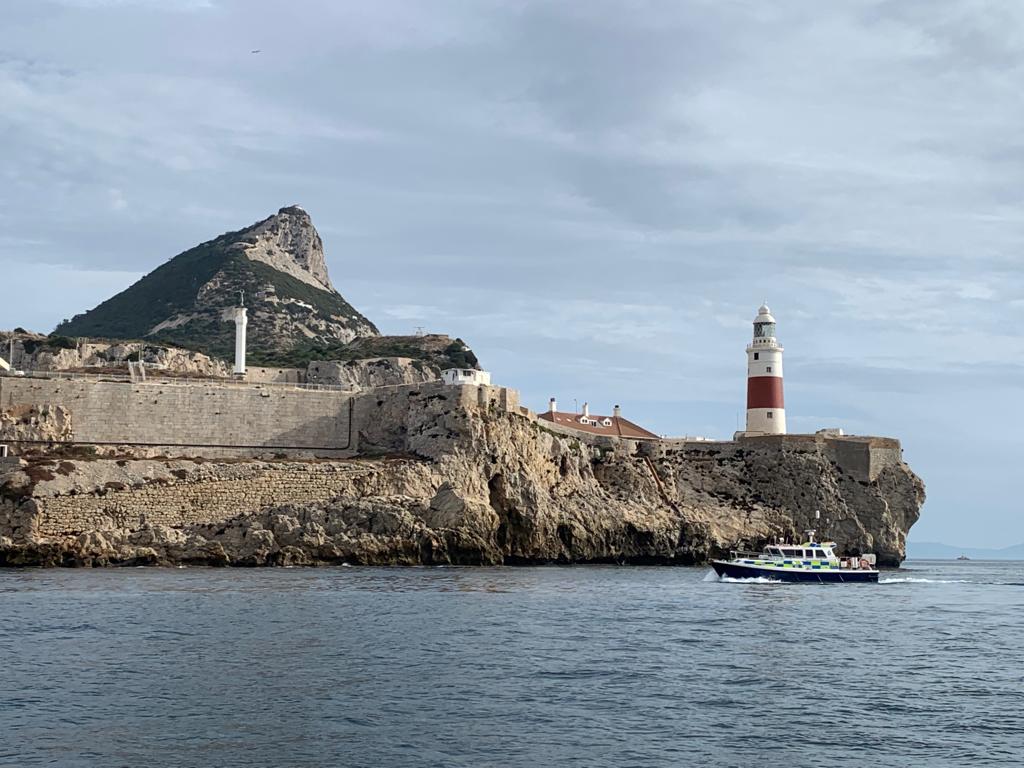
(289, 242)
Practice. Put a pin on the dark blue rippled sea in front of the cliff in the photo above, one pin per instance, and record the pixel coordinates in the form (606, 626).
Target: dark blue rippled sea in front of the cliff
(509, 667)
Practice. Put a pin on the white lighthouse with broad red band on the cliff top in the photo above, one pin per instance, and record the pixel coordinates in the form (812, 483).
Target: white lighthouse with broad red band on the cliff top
(765, 407)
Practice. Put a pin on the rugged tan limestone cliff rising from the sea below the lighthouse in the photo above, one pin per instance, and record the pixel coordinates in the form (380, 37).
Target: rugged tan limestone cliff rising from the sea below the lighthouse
(452, 476)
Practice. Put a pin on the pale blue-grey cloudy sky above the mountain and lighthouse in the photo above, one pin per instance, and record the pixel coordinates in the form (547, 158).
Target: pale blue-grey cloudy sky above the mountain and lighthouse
(596, 196)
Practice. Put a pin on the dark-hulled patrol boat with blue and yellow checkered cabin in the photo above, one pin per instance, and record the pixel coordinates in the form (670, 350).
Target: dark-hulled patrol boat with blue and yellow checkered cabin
(810, 562)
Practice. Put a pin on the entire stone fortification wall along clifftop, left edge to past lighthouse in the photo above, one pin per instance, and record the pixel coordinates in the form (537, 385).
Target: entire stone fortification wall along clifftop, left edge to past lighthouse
(217, 419)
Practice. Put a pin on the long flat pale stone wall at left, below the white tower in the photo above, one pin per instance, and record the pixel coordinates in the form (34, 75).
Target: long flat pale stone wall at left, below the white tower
(190, 419)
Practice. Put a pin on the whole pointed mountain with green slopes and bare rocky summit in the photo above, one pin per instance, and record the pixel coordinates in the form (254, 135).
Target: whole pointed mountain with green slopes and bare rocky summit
(278, 264)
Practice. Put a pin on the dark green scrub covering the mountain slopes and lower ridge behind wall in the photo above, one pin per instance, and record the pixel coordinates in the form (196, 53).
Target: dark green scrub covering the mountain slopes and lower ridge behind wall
(291, 322)
